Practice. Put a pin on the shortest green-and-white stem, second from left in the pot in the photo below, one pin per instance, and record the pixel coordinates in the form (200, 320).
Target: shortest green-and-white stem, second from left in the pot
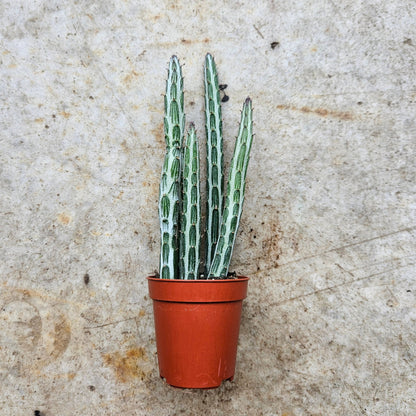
(191, 209)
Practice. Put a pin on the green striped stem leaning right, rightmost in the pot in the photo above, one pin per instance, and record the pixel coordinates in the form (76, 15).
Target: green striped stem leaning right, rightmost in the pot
(235, 194)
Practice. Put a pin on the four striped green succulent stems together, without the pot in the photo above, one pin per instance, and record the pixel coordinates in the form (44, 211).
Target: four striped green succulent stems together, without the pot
(180, 197)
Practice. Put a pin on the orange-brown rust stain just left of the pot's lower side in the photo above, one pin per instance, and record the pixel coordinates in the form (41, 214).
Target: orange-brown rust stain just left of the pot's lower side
(126, 366)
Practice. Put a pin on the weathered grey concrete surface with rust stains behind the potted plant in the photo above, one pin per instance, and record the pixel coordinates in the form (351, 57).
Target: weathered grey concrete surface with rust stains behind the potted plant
(329, 227)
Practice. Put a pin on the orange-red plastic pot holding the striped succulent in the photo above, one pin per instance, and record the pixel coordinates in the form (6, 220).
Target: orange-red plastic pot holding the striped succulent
(197, 324)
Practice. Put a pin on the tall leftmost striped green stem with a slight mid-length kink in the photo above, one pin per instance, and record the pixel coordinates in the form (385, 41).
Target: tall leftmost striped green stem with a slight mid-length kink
(169, 191)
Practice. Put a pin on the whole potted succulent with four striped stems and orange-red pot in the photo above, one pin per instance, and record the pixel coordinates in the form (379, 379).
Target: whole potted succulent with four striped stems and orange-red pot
(197, 314)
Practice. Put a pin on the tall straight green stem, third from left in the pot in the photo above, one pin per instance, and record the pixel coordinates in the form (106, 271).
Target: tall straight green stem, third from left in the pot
(215, 175)
